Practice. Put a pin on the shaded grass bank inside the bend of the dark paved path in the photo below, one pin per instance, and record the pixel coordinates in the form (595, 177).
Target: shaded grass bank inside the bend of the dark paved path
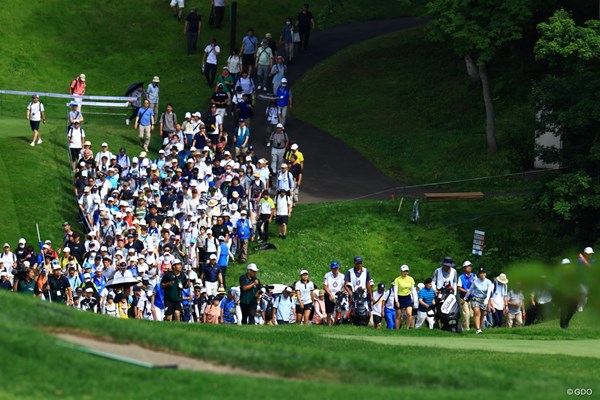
(406, 105)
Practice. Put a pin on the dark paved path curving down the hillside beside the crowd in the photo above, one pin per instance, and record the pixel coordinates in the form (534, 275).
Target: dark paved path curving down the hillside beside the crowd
(333, 170)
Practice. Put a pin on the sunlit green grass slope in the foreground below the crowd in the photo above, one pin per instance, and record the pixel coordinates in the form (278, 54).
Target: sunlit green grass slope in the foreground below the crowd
(337, 367)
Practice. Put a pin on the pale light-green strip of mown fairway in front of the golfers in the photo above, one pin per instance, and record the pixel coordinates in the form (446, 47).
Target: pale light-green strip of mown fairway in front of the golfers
(573, 348)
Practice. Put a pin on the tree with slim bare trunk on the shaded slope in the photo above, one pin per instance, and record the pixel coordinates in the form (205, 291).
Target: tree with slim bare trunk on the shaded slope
(476, 30)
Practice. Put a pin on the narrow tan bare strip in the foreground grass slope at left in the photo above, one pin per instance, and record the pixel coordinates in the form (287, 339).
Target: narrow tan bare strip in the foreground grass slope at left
(155, 358)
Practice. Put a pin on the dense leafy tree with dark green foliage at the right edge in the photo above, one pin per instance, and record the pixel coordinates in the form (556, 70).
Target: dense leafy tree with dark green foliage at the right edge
(569, 93)
